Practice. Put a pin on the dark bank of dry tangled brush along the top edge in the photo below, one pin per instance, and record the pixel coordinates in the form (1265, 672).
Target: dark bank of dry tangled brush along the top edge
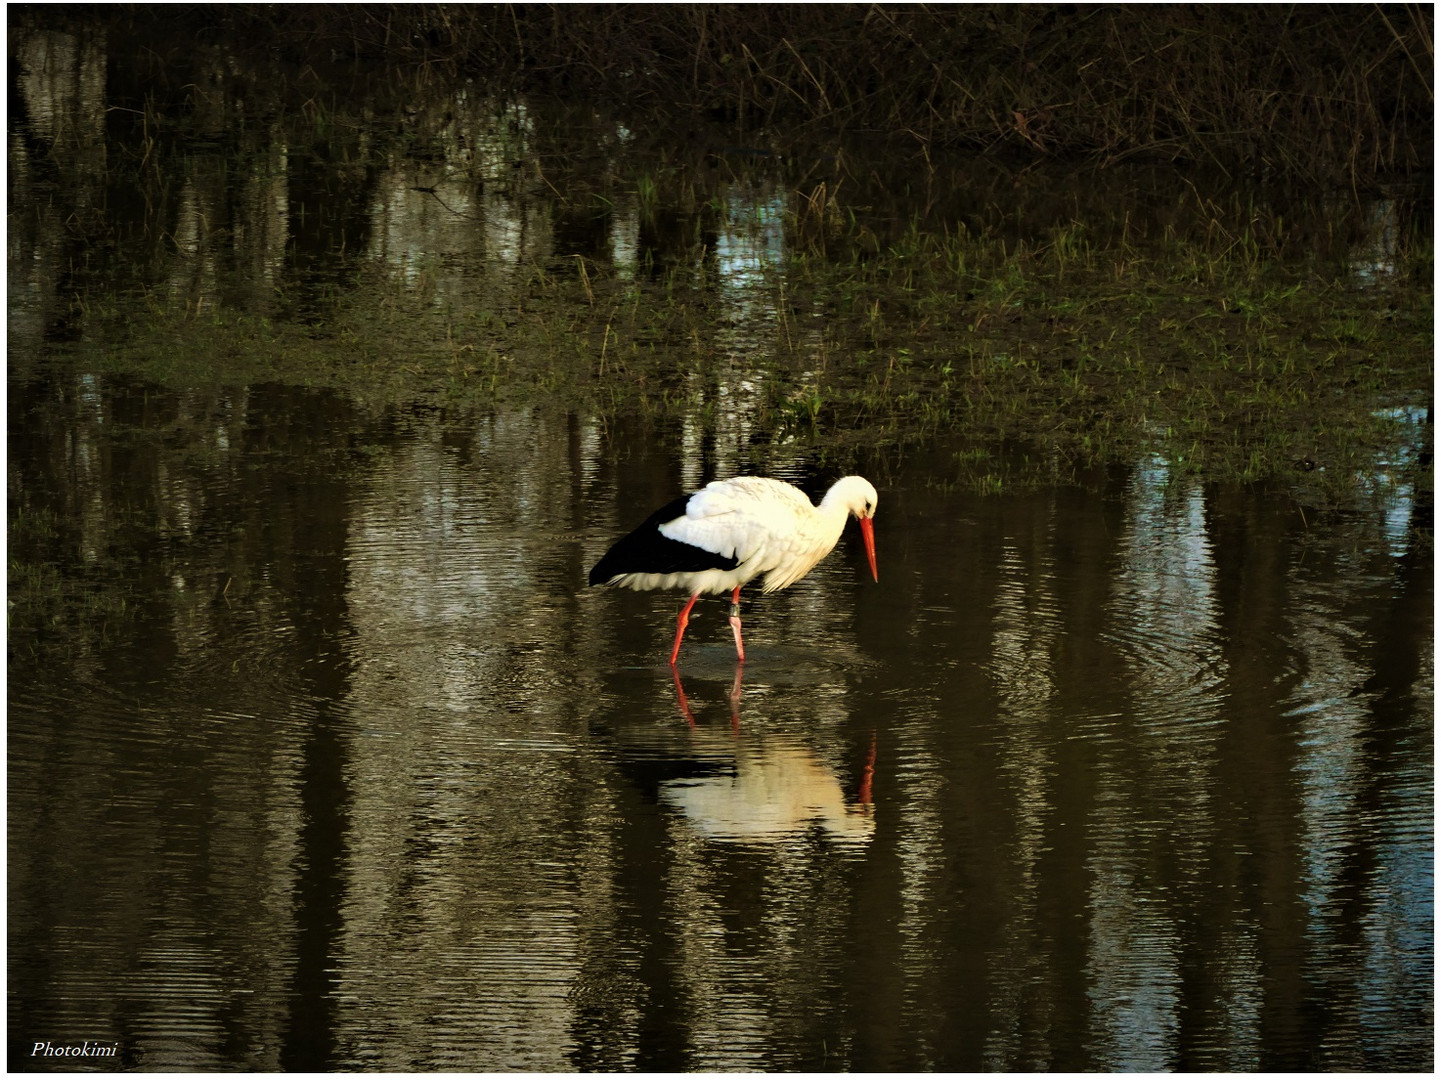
(1316, 93)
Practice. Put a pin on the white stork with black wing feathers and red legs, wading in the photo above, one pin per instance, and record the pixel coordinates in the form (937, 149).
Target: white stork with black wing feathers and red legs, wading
(733, 531)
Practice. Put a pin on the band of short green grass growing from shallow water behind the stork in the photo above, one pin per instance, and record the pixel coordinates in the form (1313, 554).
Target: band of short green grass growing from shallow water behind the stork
(1267, 367)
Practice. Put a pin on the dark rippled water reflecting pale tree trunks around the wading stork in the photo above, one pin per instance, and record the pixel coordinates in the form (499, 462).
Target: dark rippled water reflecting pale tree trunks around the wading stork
(322, 755)
